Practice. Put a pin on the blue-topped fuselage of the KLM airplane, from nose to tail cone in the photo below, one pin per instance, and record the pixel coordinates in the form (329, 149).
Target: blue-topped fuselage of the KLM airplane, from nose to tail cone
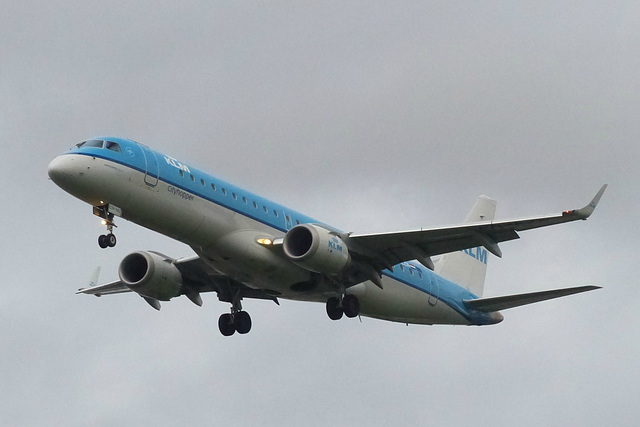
(224, 223)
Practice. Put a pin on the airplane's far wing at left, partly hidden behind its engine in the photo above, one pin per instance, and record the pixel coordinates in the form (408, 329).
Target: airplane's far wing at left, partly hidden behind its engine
(197, 277)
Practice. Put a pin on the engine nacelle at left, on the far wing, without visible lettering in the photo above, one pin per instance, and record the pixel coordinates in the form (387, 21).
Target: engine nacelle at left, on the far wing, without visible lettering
(150, 275)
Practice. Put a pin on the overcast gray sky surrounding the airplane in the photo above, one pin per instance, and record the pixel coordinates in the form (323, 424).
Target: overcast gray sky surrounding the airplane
(367, 115)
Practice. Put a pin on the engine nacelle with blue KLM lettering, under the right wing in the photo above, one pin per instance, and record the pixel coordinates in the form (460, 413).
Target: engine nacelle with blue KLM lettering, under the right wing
(316, 249)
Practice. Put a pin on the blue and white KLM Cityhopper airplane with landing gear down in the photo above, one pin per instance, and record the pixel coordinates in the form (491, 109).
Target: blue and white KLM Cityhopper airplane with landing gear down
(248, 247)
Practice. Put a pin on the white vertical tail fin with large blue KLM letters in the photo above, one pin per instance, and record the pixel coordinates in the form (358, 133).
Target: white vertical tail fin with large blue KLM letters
(468, 267)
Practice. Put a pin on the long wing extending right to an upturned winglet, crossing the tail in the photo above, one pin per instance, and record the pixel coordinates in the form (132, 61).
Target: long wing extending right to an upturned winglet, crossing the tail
(384, 250)
